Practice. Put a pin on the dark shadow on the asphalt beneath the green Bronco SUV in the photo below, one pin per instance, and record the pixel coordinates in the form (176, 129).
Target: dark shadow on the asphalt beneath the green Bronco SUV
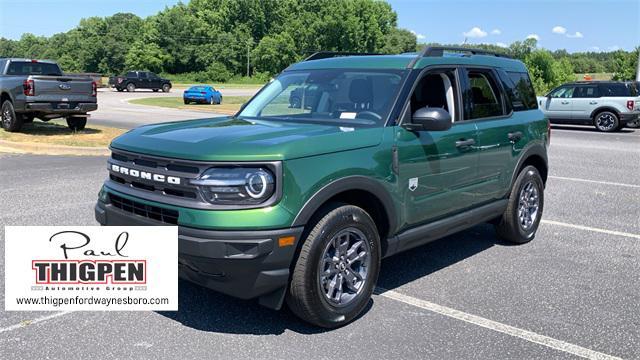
(206, 310)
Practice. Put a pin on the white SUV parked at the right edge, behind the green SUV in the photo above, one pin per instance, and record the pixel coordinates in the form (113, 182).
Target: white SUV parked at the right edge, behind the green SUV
(607, 105)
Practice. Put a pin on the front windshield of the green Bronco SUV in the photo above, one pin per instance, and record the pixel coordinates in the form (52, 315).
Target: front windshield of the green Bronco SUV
(340, 96)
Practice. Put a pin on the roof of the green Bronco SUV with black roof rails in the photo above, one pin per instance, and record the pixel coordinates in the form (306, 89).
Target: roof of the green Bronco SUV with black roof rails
(403, 61)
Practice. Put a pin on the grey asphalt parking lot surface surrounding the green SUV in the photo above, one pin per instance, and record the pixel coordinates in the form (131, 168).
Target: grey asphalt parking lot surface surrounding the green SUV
(572, 292)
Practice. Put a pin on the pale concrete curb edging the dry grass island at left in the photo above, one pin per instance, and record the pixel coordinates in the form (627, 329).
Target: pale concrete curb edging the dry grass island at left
(51, 149)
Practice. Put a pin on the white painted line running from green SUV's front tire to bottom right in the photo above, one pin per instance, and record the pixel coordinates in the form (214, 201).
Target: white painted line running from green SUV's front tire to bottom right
(495, 326)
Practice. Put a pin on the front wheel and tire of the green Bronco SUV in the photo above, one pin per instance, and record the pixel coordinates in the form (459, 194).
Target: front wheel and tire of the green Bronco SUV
(337, 268)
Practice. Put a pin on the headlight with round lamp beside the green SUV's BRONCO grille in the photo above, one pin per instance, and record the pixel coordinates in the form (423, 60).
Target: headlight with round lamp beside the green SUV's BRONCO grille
(236, 185)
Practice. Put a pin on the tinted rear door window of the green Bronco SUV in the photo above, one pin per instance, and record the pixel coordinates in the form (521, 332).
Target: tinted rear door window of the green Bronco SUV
(485, 95)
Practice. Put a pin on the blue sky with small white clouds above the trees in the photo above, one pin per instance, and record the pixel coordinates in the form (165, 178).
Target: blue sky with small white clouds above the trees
(575, 25)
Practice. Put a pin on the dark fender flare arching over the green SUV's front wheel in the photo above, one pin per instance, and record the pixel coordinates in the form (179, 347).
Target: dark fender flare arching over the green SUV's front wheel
(355, 182)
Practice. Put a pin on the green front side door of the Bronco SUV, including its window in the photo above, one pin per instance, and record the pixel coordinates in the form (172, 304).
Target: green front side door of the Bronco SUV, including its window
(437, 170)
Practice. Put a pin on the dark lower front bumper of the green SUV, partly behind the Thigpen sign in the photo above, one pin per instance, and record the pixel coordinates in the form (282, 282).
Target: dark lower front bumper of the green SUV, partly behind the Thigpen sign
(243, 264)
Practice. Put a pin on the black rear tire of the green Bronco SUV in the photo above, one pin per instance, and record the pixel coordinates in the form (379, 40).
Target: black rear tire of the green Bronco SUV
(510, 226)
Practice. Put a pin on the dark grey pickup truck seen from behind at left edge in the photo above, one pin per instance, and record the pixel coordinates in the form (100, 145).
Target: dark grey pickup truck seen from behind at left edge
(38, 89)
